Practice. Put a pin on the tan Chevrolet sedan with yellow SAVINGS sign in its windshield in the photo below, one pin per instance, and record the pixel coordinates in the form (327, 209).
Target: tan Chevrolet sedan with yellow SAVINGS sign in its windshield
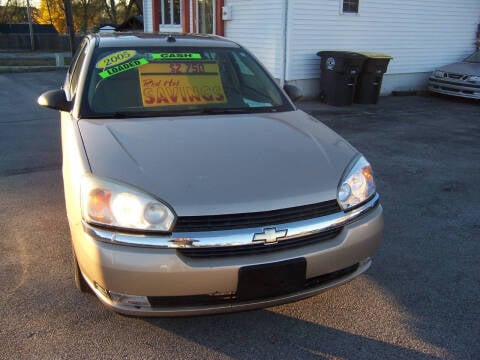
(194, 185)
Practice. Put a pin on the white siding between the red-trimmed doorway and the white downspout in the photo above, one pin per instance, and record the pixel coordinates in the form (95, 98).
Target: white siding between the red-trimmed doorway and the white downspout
(258, 25)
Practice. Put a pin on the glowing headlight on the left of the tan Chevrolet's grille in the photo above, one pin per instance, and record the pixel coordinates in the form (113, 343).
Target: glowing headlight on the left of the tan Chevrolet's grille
(107, 202)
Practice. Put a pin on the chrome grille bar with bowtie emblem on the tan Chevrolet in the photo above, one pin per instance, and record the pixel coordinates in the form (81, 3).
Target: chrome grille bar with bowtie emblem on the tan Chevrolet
(296, 230)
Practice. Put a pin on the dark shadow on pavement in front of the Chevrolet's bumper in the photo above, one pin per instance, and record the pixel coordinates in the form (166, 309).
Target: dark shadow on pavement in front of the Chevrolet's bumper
(265, 334)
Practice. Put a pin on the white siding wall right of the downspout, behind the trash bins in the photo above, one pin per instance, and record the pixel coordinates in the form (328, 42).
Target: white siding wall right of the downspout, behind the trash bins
(420, 35)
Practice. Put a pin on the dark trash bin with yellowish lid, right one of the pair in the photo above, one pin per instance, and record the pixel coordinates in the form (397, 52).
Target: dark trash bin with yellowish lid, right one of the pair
(370, 78)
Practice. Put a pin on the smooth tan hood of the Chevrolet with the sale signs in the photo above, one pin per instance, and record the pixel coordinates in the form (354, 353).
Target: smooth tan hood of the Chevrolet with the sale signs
(221, 164)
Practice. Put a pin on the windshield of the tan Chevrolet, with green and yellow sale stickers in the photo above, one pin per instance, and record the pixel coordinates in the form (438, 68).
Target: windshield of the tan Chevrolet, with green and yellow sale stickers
(139, 82)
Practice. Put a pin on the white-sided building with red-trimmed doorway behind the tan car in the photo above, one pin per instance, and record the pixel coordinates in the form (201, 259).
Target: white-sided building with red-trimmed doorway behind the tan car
(286, 34)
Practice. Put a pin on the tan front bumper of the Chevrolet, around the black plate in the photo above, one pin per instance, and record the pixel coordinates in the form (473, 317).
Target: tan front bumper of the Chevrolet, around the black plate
(164, 272)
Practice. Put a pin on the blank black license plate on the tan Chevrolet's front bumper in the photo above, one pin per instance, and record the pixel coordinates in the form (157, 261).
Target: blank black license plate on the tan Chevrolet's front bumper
(271, 280)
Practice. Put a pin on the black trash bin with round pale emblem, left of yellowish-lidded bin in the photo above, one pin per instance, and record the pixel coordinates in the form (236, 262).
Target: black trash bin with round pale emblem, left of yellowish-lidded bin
(340, 70)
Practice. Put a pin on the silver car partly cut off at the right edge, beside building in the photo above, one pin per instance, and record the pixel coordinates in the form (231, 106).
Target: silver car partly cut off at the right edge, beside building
(458, 79)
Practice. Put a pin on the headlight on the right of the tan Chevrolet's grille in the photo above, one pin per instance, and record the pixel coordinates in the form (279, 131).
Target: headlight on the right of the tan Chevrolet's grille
(357, 184)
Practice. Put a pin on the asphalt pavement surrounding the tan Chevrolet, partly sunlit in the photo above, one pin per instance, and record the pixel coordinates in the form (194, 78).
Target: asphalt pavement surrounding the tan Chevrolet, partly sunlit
(420, 299)
